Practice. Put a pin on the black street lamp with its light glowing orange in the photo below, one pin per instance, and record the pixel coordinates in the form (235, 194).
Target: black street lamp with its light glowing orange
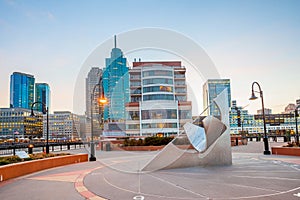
(102, 101)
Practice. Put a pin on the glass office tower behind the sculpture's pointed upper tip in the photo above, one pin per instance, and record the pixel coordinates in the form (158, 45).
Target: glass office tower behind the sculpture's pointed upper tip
(211, 89)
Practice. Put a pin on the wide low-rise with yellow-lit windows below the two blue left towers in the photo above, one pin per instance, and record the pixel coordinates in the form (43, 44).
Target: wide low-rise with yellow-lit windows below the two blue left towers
(17, 122)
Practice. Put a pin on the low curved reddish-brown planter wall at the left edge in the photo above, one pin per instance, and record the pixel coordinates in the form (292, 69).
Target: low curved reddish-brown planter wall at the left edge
(27, 167)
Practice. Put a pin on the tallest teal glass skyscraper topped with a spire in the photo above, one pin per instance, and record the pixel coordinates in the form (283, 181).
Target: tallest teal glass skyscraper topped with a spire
(116, 85)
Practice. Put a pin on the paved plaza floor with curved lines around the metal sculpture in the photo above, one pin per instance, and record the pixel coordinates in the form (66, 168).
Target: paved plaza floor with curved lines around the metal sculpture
(116, 175)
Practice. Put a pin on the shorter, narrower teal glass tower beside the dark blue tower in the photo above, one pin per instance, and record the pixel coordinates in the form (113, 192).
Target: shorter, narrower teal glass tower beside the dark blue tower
(42, 94)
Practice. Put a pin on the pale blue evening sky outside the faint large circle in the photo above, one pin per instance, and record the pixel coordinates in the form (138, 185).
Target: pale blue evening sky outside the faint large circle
(248, 40)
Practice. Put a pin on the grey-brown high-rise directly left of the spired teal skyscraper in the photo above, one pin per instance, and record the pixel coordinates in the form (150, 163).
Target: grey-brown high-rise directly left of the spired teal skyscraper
(91, 81)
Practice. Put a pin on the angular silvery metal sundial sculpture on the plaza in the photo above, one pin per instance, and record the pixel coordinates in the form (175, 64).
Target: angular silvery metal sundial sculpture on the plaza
(211, 144)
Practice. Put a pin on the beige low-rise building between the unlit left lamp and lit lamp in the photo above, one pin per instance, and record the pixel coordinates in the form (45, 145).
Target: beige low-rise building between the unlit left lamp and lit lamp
(63, 125)
